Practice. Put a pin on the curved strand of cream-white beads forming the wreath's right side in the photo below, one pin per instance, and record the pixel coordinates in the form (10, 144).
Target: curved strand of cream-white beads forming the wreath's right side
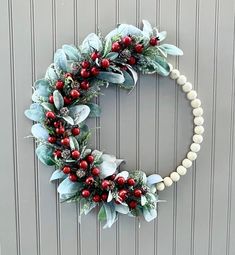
(197, 138)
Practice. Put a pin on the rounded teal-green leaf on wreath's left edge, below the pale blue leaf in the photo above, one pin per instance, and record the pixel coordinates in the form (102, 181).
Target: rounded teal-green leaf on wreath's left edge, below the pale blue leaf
(45, 154)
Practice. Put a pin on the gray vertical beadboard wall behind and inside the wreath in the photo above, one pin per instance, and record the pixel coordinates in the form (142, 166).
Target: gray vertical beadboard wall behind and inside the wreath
(151, 128)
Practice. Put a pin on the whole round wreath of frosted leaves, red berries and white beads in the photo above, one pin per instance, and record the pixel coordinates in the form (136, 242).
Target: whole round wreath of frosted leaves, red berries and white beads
(65, 98)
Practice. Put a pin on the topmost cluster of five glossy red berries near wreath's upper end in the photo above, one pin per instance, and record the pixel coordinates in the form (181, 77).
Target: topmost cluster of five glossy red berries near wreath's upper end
(128, 42)
